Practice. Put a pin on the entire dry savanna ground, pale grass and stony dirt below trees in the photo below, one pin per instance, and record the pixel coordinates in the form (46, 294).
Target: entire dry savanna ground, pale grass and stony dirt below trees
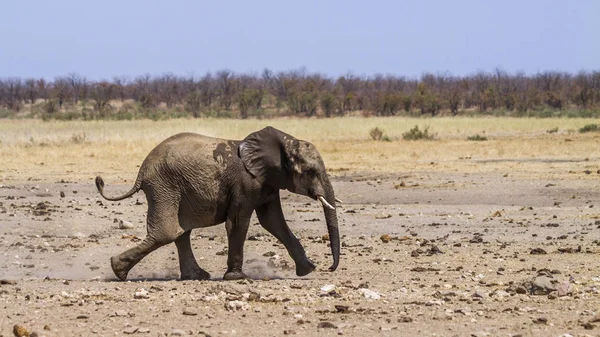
(447, 237)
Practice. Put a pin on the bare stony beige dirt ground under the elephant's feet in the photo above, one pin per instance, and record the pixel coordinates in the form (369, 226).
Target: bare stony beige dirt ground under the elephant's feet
(508, 249)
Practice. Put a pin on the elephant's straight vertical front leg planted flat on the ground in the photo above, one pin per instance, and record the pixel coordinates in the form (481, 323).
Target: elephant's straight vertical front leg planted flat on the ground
(237, 228)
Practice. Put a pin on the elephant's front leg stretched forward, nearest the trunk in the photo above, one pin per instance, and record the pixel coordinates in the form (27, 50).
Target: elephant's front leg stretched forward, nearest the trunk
(271, 218)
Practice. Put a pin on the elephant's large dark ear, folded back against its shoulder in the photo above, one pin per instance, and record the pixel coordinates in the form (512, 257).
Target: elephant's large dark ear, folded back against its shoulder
(264, 154)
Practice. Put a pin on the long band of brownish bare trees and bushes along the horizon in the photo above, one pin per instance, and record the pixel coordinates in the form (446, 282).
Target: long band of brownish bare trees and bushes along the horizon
(300, 93)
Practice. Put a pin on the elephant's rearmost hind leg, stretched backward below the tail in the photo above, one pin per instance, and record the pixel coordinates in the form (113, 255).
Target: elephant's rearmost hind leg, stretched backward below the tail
(163, 228)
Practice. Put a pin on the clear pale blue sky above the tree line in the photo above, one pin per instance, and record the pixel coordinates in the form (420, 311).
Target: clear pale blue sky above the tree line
(102, 39)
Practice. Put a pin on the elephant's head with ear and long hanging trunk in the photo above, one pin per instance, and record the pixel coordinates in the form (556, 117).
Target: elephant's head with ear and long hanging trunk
(281, 161)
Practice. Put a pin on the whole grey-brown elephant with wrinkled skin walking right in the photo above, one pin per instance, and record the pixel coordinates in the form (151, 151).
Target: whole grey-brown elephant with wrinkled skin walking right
(193, 181)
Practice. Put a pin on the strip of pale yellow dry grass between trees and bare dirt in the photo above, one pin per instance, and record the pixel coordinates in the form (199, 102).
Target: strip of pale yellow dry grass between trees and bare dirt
(77, 151)
